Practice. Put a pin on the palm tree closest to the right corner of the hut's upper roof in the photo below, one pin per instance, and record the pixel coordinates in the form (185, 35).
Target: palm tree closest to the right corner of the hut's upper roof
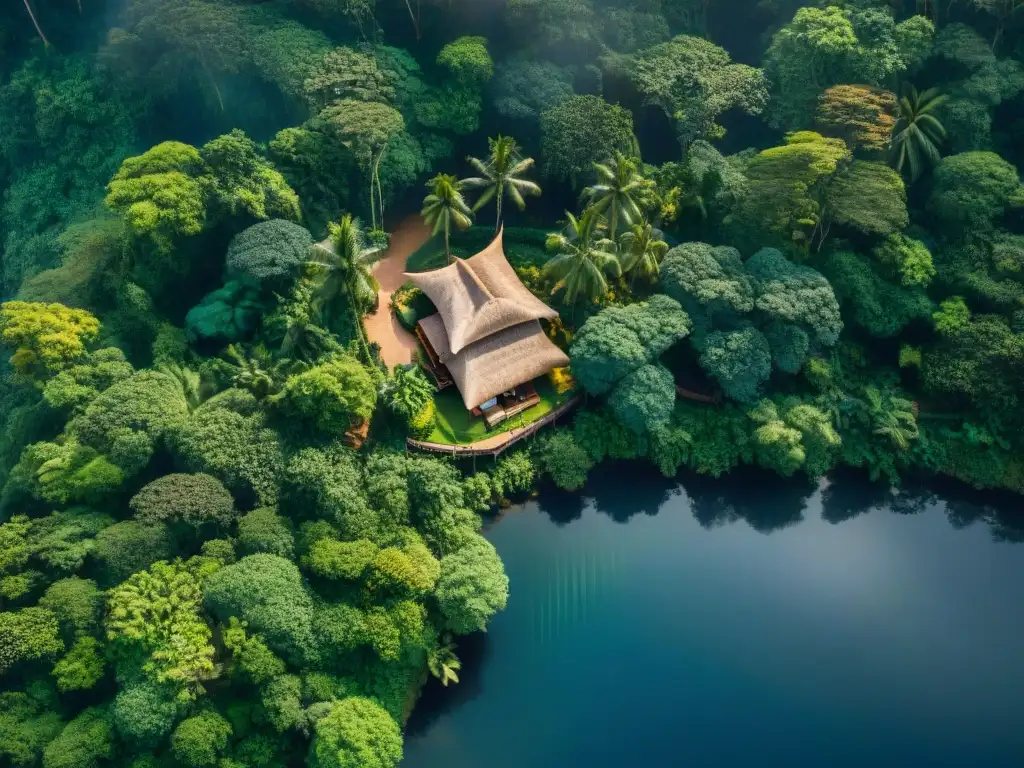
(584, 258)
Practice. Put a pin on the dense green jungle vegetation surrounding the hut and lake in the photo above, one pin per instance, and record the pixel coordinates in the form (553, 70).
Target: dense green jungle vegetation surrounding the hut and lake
(794, 243)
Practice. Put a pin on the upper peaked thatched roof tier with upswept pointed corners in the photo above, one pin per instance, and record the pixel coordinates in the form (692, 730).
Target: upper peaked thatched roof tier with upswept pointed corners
(480, 296)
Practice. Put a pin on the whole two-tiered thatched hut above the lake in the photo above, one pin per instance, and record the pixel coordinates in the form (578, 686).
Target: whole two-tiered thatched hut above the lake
(486, 337)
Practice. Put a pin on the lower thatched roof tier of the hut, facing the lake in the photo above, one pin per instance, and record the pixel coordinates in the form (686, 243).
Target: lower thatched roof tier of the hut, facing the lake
(498, 363)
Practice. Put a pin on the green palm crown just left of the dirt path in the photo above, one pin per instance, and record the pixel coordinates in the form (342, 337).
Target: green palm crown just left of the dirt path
(345, 262)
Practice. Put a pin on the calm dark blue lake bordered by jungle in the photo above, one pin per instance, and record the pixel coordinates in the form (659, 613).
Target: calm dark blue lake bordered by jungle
(744, 622)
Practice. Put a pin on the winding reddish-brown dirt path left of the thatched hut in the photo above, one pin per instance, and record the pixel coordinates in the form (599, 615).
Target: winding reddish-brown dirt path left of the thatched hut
(397, 344)
